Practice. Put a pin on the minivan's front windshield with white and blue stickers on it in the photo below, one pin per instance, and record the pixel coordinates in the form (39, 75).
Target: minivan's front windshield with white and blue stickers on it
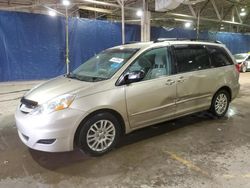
(102, 66)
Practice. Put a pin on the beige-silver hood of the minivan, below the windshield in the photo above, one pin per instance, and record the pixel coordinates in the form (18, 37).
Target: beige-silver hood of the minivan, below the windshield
(55, 87)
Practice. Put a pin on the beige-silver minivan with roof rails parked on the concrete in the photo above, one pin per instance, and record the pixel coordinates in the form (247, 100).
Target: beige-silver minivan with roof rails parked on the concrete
(125, 88)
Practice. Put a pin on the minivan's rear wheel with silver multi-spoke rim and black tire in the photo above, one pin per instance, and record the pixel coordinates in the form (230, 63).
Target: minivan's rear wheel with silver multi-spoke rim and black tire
(220, 103)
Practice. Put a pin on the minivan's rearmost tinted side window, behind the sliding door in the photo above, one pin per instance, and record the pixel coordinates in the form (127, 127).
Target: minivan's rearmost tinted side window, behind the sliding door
(219, 57)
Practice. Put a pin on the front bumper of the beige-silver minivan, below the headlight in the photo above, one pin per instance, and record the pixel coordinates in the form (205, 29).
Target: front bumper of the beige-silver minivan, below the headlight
(52, 132)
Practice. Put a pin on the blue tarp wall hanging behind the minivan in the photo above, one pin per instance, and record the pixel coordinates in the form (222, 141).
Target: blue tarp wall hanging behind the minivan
(32, 46)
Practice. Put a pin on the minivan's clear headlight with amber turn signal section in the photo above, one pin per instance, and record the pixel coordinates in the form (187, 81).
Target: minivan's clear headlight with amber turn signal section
(56, 104)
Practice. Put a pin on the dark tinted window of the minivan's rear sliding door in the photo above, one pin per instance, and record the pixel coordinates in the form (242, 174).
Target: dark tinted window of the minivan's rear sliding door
(191, 58)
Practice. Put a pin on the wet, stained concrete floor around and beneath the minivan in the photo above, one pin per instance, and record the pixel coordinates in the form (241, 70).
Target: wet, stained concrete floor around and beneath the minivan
(194, 151)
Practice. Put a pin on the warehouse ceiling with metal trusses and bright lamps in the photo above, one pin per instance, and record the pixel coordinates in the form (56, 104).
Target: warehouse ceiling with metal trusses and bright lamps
(213, 15)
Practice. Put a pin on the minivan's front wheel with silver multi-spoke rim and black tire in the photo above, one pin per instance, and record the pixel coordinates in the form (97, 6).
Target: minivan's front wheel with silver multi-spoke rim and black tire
(99, 134)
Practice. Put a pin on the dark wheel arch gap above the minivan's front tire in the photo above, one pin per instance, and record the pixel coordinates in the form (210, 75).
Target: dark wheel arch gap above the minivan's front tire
(111, 111)
